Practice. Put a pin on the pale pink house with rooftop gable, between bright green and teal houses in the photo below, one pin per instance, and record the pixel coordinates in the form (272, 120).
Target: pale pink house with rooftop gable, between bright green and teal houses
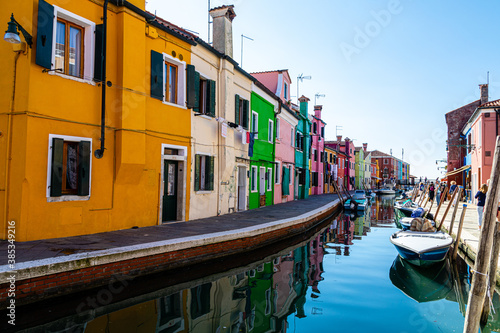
(286, 122)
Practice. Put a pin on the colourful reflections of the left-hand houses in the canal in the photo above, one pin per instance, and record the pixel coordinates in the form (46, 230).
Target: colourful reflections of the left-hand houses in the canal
(259, 300)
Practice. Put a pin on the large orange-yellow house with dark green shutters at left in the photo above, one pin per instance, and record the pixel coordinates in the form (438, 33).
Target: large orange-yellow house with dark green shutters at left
(57, 180)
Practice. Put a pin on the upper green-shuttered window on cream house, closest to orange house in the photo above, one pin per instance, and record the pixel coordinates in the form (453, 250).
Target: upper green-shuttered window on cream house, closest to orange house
(200, 92)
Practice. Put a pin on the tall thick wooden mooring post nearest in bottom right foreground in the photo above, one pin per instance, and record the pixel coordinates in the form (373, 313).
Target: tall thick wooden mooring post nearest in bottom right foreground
(480, 279)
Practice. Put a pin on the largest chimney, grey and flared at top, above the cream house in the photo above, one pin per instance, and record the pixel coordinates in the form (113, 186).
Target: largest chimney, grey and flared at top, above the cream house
(223, 29)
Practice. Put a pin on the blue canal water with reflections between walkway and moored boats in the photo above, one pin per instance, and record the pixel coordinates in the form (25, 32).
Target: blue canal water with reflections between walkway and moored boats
(345, 278)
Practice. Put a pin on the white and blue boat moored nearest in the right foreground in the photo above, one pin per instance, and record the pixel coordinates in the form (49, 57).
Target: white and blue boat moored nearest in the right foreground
(421, 248)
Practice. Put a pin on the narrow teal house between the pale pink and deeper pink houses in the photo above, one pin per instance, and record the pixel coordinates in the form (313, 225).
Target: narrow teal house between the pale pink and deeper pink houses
(302, 151)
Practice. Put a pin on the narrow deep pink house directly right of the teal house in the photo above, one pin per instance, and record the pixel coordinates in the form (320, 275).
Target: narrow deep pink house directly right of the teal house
(318, 151)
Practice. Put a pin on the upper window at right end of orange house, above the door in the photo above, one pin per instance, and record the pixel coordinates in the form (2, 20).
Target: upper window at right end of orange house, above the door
(168, 76)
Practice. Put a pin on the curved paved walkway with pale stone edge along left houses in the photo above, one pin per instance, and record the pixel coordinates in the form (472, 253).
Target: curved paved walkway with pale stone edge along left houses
(60, 247)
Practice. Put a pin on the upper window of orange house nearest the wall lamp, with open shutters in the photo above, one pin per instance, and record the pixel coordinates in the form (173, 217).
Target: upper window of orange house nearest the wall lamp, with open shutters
(66, 43)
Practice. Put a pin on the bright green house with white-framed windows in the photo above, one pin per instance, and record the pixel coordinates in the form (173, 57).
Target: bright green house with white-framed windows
(262, 125)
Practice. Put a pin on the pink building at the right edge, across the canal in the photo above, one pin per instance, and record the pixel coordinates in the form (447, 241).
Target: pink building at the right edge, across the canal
(481, 131)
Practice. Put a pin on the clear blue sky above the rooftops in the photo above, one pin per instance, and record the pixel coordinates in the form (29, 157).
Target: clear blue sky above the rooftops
(390, 69)
